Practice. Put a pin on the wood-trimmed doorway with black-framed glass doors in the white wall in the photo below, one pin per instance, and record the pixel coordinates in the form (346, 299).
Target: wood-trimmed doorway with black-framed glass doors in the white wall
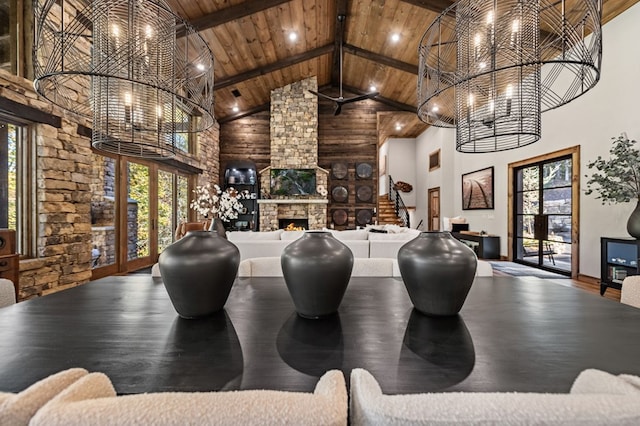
(544, 212)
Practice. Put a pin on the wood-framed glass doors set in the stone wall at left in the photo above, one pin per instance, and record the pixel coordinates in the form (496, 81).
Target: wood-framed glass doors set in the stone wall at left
(136, 207)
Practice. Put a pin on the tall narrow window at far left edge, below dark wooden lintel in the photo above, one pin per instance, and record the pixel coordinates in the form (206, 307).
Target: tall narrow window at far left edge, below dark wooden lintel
(16, 176)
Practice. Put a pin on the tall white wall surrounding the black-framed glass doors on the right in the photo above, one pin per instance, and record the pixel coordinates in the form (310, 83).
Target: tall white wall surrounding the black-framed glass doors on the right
(610, 108)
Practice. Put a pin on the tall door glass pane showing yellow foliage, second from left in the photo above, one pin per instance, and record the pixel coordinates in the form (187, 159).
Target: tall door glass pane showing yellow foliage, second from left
(137, 211)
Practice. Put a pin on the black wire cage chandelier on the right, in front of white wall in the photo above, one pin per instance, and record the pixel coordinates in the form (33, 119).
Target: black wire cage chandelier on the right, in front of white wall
(489, 68)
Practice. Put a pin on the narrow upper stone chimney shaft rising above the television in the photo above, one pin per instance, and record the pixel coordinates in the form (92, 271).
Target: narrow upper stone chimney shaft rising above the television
(294, 125)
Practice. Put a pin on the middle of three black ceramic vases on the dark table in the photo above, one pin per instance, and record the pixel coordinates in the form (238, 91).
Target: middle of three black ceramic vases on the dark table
(316, 268)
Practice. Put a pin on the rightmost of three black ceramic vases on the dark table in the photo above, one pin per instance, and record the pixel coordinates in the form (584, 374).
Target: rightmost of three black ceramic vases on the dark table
(437, 271)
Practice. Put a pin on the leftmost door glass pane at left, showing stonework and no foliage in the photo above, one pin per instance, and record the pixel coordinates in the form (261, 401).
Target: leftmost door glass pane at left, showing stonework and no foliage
(103, 211)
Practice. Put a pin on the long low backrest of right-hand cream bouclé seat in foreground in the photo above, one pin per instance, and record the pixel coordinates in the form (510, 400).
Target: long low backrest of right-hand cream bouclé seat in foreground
(369, 406)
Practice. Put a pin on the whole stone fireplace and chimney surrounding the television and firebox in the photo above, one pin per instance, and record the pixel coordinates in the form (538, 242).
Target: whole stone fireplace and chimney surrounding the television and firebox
(294, 144)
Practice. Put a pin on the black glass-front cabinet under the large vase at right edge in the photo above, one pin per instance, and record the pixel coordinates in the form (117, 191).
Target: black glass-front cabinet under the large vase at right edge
(618, 259)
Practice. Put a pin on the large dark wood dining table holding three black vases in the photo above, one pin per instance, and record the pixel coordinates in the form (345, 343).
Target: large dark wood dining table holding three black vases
(512, 334)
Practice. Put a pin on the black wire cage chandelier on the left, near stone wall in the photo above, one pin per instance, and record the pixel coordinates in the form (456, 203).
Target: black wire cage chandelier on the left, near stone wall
(141, 72)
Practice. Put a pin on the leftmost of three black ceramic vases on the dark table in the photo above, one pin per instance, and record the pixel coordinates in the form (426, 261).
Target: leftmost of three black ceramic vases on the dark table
(198, 271)
